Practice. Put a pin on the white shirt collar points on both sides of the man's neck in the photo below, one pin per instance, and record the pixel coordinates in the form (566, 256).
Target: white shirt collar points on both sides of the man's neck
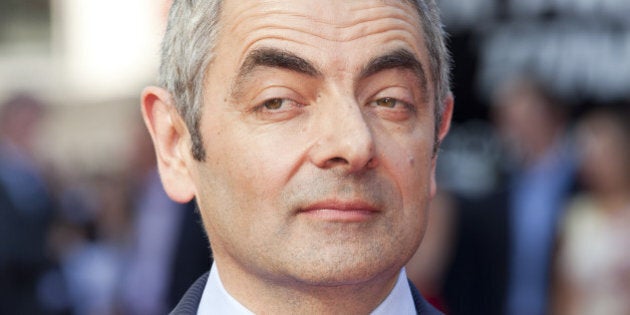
(216, 300)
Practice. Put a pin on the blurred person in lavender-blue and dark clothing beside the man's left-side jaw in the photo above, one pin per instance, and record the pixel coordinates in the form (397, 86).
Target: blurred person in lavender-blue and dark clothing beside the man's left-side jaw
(169, 250)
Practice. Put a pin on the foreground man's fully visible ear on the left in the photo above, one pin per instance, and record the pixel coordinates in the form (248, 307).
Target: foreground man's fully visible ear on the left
(172, 143)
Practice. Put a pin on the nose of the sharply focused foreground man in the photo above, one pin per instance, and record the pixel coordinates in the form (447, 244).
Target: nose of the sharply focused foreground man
(344, 139)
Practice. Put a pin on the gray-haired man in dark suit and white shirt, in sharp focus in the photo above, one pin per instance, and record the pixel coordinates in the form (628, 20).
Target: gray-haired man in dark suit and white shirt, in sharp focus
(307, 132)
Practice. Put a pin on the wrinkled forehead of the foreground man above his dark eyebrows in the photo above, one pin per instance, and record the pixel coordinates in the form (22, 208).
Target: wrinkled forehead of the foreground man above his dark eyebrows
(323, 29)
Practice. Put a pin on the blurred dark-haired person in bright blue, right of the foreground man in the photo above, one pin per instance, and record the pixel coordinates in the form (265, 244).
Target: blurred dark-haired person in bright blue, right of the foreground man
(533, 125)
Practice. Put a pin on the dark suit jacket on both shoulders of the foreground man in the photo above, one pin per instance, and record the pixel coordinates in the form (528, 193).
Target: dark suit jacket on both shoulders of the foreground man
(189, 304)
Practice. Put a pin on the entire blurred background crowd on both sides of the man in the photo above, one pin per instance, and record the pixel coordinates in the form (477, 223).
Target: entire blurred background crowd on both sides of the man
(548, 234)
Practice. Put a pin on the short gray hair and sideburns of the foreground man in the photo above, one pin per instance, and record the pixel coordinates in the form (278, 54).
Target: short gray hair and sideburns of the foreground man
(188, 49)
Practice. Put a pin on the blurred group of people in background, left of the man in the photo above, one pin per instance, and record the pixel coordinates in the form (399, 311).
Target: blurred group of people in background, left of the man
(77, 243)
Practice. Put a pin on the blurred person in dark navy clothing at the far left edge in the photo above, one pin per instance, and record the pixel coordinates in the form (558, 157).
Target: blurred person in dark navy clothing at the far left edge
(26, 205)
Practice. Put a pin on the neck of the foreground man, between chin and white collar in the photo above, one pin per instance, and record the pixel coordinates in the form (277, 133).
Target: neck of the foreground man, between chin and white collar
(268, 295)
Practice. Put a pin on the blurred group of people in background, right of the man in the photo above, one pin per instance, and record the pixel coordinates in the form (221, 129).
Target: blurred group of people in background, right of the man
(551, 233)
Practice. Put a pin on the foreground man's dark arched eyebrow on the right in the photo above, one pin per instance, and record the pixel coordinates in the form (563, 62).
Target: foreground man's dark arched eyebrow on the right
(397, 59)
